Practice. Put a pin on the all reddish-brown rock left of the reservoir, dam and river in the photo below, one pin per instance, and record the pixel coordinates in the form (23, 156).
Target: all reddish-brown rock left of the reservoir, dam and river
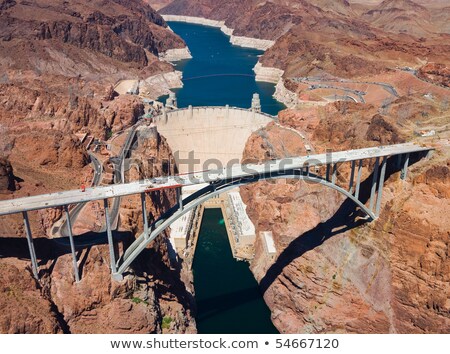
(59, 62)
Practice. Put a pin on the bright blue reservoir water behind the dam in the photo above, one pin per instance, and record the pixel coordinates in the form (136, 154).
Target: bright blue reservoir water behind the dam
(219, 73)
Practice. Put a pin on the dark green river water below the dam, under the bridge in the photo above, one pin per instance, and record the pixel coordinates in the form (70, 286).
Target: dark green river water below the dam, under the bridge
(227, 295)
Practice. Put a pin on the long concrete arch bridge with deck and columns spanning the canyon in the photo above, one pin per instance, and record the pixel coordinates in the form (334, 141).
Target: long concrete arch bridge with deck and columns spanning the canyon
(320, 168)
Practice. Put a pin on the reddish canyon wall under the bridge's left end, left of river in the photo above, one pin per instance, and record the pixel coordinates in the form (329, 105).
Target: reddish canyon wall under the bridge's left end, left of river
(152, 292)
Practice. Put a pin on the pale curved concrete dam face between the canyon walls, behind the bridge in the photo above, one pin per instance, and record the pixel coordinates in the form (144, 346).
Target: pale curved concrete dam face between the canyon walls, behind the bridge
(202, 138)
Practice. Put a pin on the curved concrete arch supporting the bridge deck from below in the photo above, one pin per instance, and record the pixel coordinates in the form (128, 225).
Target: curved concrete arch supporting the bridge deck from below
(210, 191)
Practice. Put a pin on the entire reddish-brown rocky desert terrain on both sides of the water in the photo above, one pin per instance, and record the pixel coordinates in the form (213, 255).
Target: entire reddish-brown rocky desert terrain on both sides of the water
(353, 74)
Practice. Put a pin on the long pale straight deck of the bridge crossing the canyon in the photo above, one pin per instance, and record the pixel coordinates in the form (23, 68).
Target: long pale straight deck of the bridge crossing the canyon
(237, 171)
